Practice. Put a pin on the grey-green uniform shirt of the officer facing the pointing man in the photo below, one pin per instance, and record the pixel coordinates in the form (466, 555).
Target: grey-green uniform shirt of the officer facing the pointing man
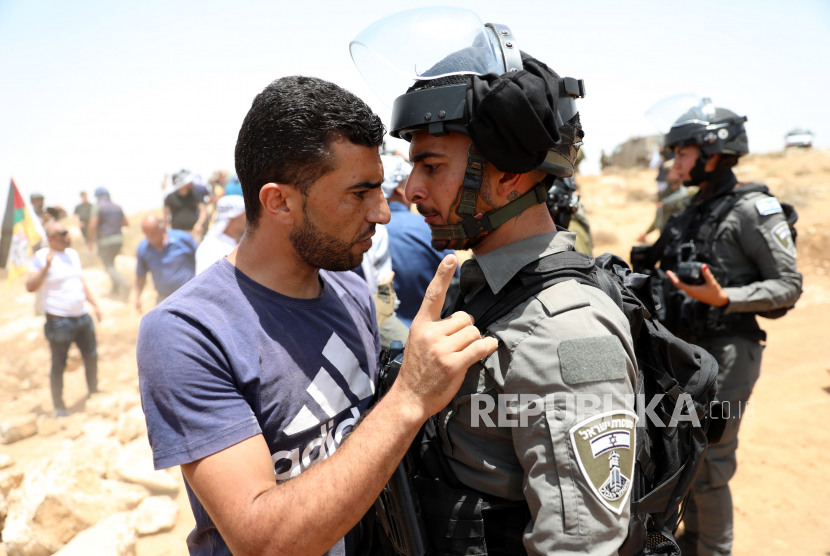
(569, 339)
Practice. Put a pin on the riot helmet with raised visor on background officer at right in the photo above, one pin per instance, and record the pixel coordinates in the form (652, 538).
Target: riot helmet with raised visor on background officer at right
(691, 120)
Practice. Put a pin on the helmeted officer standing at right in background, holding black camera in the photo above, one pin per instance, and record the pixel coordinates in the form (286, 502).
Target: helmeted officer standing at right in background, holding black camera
(729, 257)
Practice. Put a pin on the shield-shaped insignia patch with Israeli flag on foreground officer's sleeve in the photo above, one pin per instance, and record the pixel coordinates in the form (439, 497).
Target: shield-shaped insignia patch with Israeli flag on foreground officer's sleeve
(604, 446)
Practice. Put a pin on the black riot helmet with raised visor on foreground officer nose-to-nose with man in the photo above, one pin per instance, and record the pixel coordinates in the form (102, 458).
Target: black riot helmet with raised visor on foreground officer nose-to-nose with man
(468, 77)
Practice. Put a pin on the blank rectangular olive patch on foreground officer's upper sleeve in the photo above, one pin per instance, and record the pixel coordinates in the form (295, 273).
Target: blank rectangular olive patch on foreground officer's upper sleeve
(591, 359)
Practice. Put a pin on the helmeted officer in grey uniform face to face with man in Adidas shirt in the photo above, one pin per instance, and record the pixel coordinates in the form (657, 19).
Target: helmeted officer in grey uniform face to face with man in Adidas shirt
(490, 129)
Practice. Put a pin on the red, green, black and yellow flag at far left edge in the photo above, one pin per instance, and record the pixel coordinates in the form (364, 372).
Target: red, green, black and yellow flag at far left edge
(20, 234)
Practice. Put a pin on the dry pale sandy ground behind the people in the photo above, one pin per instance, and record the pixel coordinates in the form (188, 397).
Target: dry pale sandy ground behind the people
(781, 490)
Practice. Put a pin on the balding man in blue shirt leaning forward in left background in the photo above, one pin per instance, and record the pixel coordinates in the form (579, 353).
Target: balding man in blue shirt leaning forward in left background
(170, 255)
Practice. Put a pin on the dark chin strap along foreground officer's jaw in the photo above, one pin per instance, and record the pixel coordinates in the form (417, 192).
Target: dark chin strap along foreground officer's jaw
(471, 217)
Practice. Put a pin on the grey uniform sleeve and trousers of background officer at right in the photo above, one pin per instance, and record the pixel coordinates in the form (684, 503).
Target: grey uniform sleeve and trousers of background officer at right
(756, 250)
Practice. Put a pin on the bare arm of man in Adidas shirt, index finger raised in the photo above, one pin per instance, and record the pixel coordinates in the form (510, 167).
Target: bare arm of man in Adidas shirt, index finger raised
(309, 514)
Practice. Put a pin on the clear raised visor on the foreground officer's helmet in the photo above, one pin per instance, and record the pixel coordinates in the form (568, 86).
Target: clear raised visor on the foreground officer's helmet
(396, 51)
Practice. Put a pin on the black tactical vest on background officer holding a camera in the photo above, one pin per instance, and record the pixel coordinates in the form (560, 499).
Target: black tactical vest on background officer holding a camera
(690, 319)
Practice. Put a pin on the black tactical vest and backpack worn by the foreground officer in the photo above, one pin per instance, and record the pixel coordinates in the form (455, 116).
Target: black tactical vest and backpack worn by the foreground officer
(460, 520)
